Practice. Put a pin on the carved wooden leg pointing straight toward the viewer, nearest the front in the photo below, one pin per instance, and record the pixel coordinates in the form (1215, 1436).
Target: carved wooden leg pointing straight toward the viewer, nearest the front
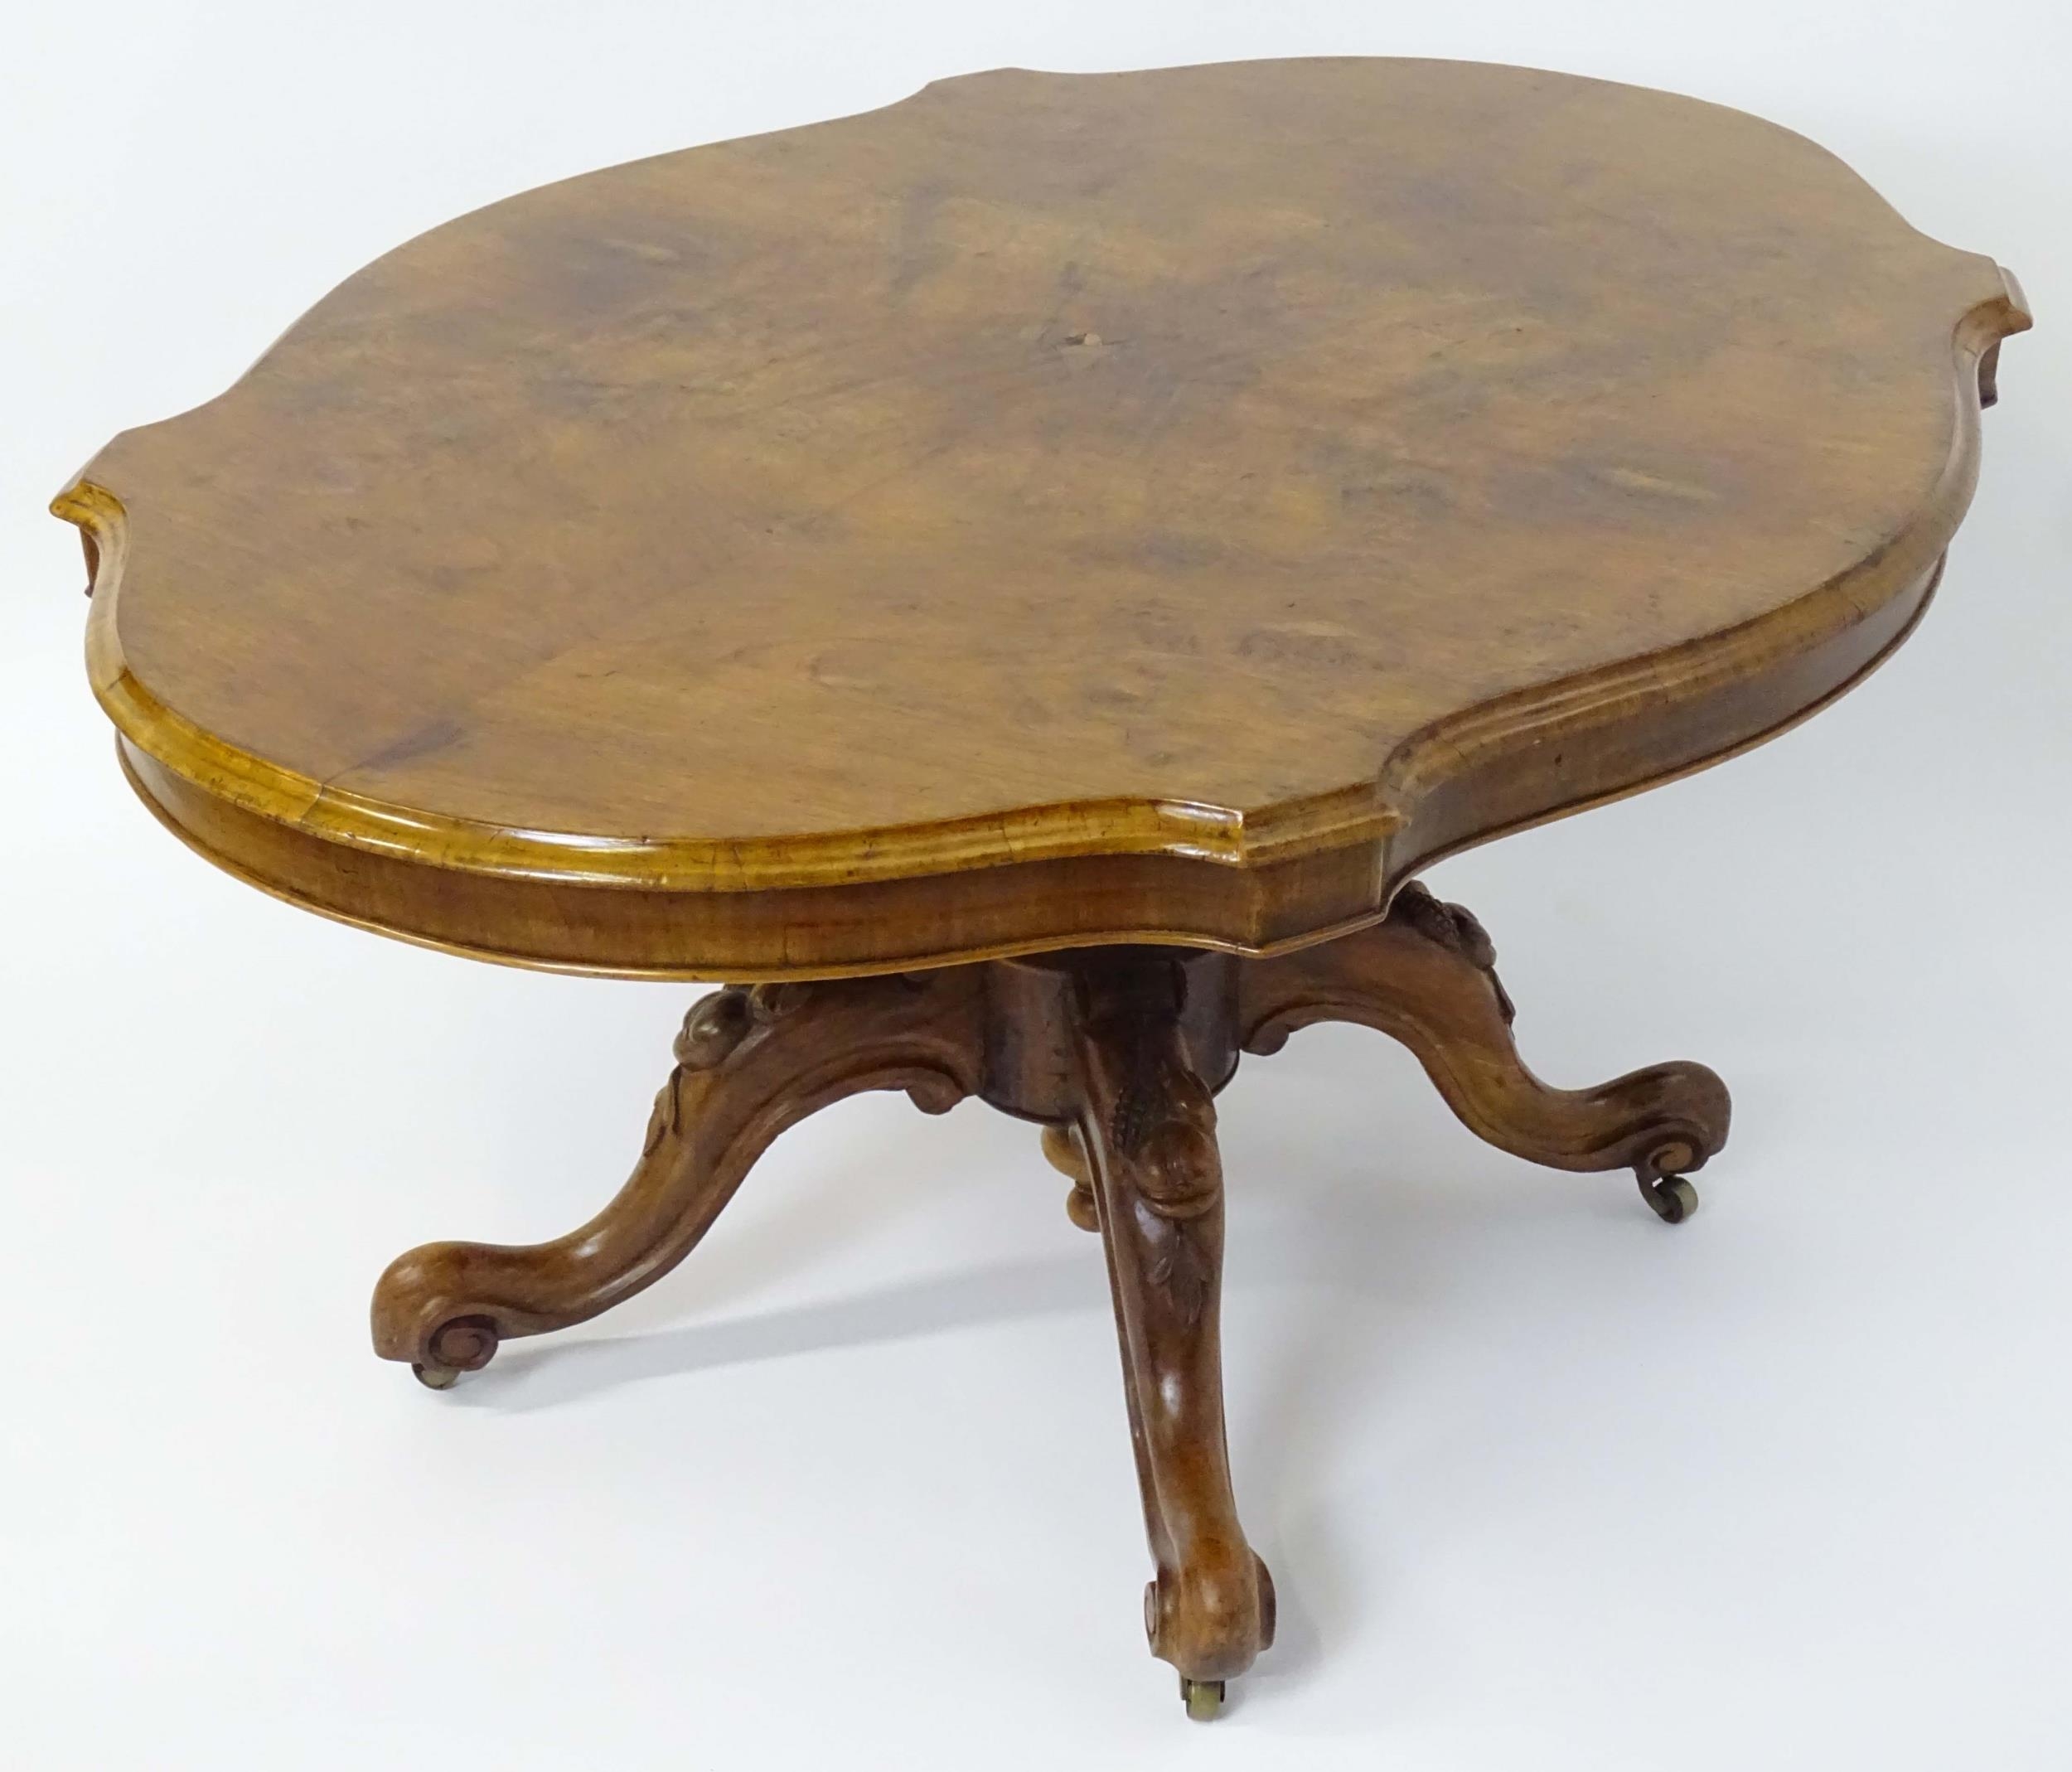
(1147, 1137)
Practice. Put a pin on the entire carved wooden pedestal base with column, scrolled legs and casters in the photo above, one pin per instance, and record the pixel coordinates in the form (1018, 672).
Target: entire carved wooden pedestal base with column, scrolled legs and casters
(1118, 1054)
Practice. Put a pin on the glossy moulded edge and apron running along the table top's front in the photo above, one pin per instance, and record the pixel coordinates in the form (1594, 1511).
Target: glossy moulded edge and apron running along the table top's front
(1035, 878)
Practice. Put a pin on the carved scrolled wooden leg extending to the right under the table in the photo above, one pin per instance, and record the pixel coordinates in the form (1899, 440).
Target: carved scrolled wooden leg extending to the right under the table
(1427, 975)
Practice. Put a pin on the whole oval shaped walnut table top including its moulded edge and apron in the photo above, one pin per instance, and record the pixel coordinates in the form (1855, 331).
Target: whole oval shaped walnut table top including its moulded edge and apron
(1056, 509)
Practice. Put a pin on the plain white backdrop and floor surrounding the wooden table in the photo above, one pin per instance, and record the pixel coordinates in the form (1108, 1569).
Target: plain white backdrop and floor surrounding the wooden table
(1543, 1483)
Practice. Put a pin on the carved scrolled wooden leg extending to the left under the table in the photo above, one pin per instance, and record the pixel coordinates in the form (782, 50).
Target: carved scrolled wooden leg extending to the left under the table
(749, 1064)
